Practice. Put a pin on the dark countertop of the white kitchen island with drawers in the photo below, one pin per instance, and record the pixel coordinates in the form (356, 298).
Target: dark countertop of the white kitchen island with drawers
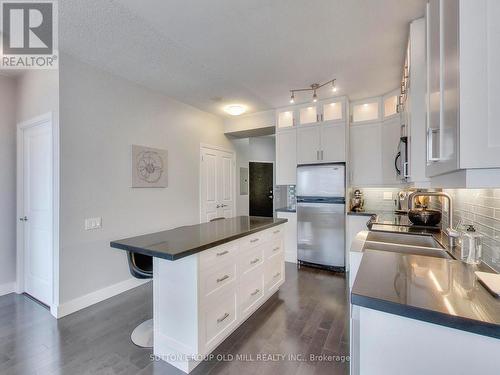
(181, 242)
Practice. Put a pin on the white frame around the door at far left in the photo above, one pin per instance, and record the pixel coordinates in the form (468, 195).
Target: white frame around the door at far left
(21, 127)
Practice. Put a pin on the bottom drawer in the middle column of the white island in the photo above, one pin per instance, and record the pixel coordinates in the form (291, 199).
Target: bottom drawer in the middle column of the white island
(251, 291)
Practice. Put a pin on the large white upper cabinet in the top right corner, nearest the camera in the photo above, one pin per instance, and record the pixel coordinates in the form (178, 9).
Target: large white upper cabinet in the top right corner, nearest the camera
(463, 90)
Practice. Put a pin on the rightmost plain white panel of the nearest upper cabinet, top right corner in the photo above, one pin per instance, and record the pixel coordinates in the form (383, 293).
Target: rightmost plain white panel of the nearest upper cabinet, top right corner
(479, 84)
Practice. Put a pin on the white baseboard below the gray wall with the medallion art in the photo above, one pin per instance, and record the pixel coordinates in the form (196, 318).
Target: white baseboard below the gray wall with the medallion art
(90, 299)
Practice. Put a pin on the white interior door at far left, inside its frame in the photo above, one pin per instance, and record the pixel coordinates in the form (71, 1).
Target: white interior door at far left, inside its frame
(36, 211)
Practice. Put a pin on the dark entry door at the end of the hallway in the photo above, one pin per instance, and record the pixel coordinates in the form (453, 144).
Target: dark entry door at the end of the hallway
(261, 189)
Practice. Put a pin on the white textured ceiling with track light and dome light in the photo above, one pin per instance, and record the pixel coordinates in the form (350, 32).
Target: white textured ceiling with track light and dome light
(211, 53)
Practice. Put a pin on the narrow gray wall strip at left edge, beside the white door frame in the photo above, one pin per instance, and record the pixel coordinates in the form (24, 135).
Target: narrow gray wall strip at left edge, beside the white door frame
(7, 184)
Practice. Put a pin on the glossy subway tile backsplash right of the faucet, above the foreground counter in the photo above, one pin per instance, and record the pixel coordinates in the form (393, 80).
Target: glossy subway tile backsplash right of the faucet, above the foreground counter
(481, 208)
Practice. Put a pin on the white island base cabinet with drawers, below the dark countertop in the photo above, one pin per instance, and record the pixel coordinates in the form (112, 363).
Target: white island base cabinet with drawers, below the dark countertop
(201, 299)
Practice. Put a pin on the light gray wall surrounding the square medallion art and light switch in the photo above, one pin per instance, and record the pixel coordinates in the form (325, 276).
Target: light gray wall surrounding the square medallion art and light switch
(101, 117)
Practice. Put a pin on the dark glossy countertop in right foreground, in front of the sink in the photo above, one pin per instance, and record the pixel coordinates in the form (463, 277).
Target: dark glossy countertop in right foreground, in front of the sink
(439, 291)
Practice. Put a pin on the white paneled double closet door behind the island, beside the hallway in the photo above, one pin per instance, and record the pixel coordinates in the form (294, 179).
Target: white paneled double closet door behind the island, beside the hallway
(217, 184)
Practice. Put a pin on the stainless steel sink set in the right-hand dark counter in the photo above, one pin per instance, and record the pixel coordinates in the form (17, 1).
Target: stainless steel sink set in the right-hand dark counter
(405, 243)
